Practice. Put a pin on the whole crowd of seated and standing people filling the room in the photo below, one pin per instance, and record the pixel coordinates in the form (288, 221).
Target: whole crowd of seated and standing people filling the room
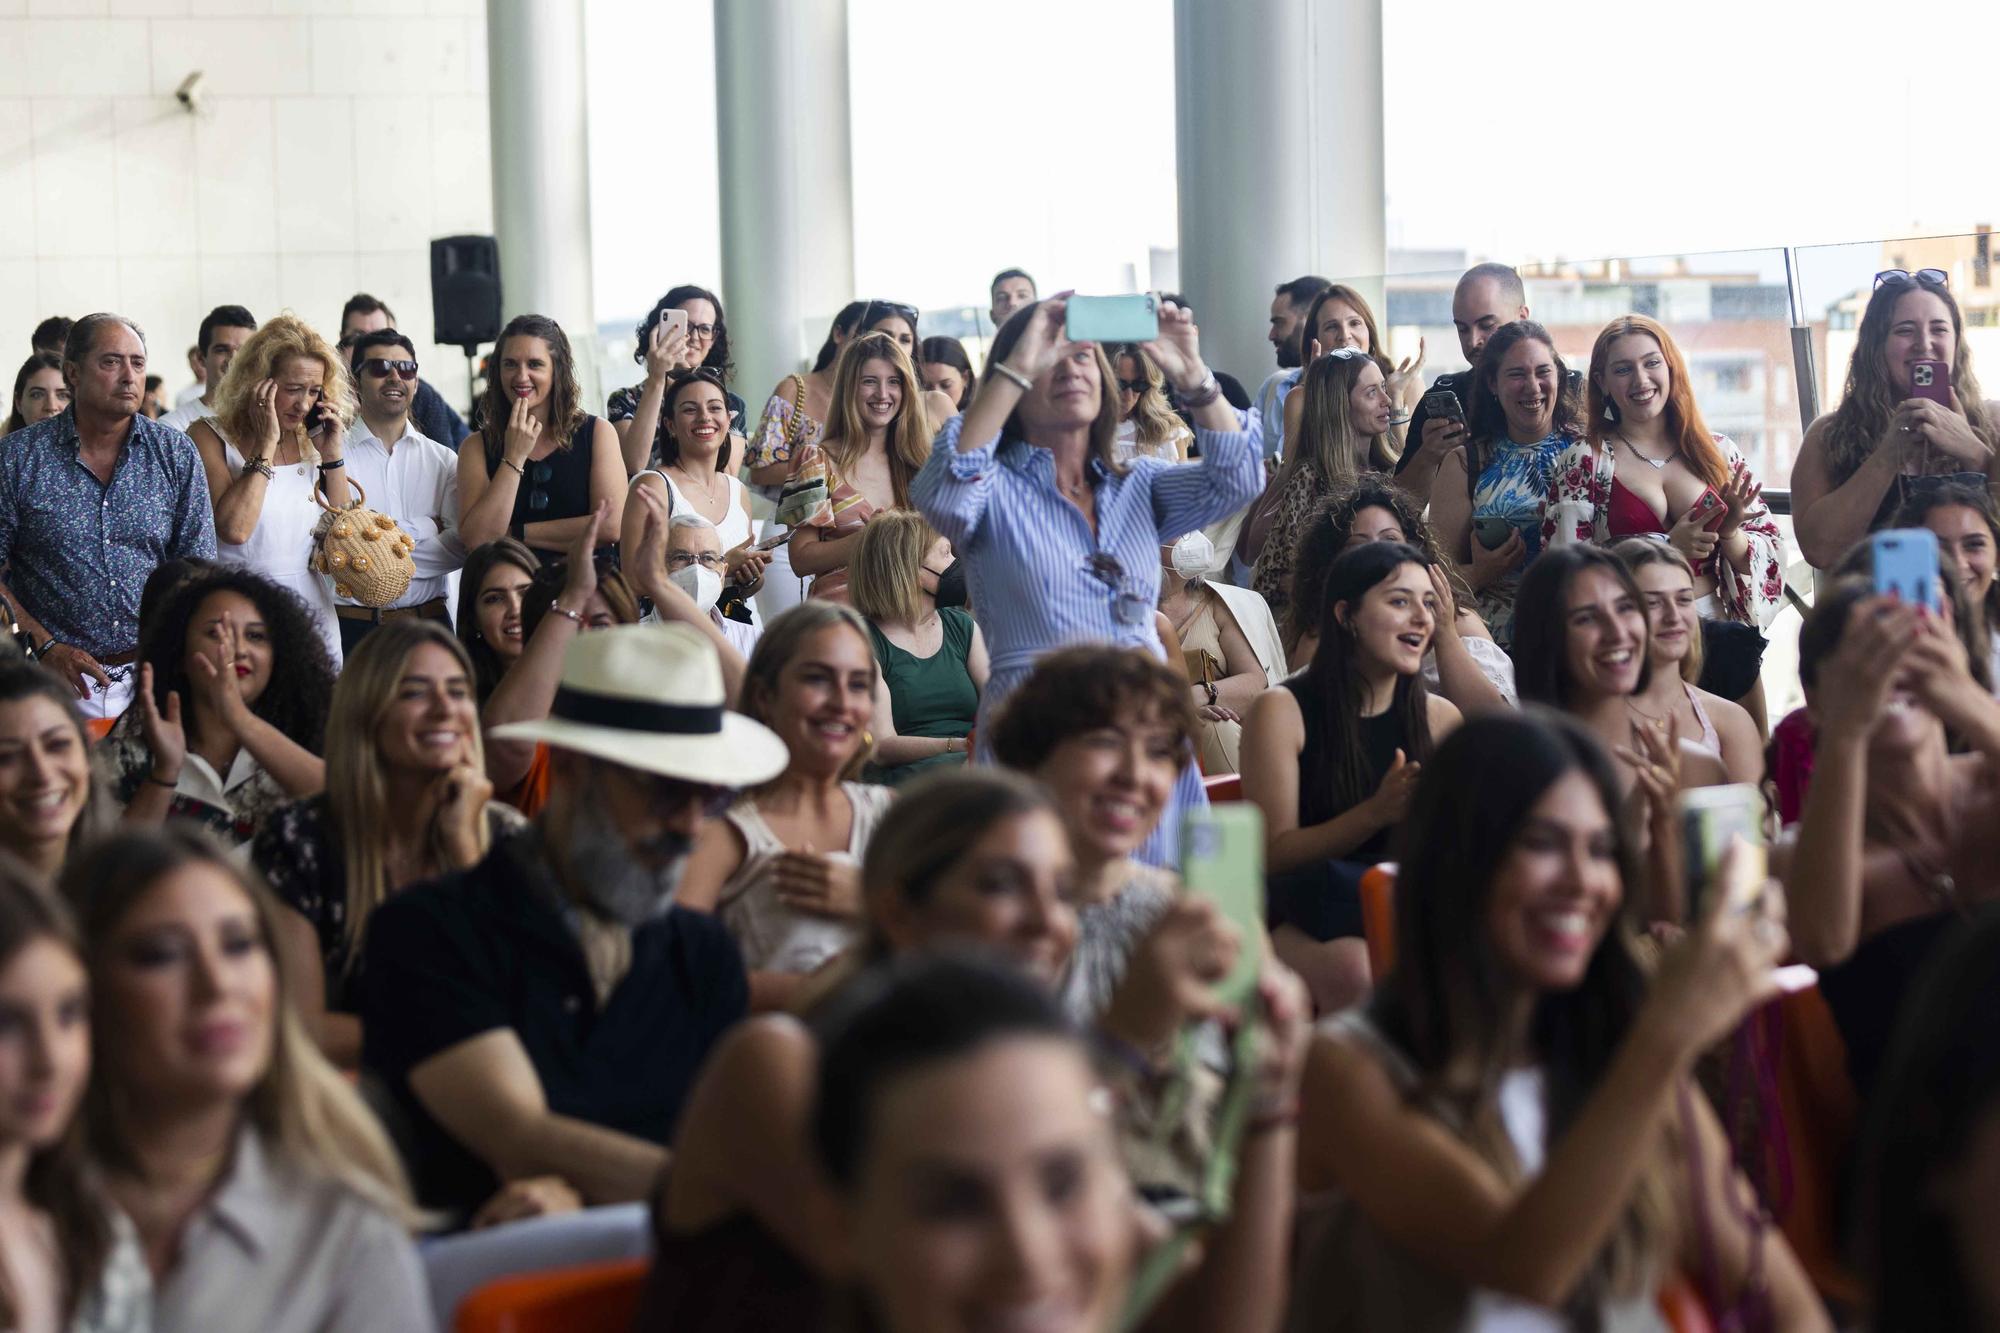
(799, 826)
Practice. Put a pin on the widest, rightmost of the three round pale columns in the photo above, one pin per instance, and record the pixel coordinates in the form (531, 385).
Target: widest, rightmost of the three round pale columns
(1279, 119)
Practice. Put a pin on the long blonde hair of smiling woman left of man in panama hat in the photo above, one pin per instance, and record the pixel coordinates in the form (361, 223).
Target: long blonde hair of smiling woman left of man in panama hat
(357, 786)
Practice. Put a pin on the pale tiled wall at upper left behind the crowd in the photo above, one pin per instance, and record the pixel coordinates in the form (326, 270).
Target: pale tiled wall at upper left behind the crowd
(335, 139)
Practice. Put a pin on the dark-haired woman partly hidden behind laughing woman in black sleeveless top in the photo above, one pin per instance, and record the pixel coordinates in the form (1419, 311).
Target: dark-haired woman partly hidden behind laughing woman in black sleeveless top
(1465, 663)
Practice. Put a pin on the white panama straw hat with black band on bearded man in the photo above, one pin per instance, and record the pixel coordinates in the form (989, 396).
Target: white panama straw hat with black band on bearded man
(651, 698)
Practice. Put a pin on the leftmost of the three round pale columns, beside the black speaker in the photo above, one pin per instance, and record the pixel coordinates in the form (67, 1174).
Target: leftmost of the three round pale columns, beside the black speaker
(541, 159)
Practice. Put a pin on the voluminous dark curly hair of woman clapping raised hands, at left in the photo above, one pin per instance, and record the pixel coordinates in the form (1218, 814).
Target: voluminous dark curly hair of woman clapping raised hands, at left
(301, 672)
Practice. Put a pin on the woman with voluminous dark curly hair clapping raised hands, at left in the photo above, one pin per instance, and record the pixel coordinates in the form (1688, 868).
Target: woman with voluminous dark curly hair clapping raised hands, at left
(231, 712)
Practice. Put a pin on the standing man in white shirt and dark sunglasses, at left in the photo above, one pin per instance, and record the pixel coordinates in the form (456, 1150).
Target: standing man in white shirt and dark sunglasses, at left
(405, 475)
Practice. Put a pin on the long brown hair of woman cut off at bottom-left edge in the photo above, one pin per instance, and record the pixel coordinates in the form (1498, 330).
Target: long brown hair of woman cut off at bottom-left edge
(59, 1178)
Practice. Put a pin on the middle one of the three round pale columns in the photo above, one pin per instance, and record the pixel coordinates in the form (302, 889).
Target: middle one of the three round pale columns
(787, 175)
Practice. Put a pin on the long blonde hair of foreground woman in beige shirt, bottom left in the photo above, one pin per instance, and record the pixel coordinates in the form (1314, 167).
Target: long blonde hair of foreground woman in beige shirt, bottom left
(303, 1110)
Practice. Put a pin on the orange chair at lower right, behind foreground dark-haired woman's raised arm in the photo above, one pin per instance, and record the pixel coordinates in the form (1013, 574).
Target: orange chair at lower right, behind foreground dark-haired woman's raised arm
(1819, 1112)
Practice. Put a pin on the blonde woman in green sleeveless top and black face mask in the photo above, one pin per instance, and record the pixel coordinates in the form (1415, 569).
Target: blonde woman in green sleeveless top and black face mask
(933, 659)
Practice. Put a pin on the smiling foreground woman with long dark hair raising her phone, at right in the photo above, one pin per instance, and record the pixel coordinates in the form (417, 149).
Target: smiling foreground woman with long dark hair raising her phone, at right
(1521, 1068)
